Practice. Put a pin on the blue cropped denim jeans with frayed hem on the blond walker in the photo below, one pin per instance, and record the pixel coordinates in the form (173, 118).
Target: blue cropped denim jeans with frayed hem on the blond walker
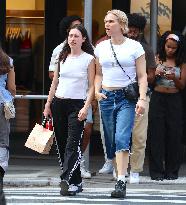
(117, 115)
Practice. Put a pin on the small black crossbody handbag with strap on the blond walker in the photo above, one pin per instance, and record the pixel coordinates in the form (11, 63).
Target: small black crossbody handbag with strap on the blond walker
(131, 91)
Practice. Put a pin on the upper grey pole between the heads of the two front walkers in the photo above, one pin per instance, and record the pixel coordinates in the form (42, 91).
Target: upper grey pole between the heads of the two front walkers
(88, 17)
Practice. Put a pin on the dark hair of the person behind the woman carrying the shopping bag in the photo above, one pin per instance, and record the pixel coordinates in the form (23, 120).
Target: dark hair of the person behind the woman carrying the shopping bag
(65, 24)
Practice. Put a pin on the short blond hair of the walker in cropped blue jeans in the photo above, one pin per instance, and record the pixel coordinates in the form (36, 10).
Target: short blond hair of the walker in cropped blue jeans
(122, 19)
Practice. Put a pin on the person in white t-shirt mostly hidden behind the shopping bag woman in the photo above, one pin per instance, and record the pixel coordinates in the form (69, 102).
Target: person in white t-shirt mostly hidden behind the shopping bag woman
(64, 25)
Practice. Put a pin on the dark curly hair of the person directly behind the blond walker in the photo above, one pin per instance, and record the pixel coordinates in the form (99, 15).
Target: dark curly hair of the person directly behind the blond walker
(137, 21)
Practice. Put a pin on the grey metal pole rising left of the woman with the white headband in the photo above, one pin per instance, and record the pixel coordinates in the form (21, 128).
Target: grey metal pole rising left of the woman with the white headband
(153, 24)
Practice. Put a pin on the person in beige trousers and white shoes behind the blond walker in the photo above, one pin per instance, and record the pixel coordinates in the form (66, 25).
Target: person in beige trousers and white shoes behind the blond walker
(136, 24)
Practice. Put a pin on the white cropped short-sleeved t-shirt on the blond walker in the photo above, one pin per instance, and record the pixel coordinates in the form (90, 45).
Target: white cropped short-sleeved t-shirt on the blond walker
(127, 53)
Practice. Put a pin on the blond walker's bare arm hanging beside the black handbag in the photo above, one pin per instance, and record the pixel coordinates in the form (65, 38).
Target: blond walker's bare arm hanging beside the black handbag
(143, 84)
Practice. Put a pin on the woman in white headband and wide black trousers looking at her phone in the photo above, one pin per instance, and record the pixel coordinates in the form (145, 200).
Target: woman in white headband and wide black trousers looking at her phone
(165, 110)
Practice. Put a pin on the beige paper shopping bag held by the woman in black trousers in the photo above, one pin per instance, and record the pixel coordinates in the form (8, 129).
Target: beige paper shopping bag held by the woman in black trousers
(40, 139)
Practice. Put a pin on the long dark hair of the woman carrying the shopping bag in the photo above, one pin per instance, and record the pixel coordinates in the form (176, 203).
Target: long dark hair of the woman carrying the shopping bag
(86, 45)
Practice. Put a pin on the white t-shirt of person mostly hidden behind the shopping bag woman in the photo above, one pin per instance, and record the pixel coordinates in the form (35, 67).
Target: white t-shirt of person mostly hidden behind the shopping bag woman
(54, 57)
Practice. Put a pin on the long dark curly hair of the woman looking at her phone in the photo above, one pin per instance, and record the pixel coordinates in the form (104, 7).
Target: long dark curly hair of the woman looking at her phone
(180, 55)
